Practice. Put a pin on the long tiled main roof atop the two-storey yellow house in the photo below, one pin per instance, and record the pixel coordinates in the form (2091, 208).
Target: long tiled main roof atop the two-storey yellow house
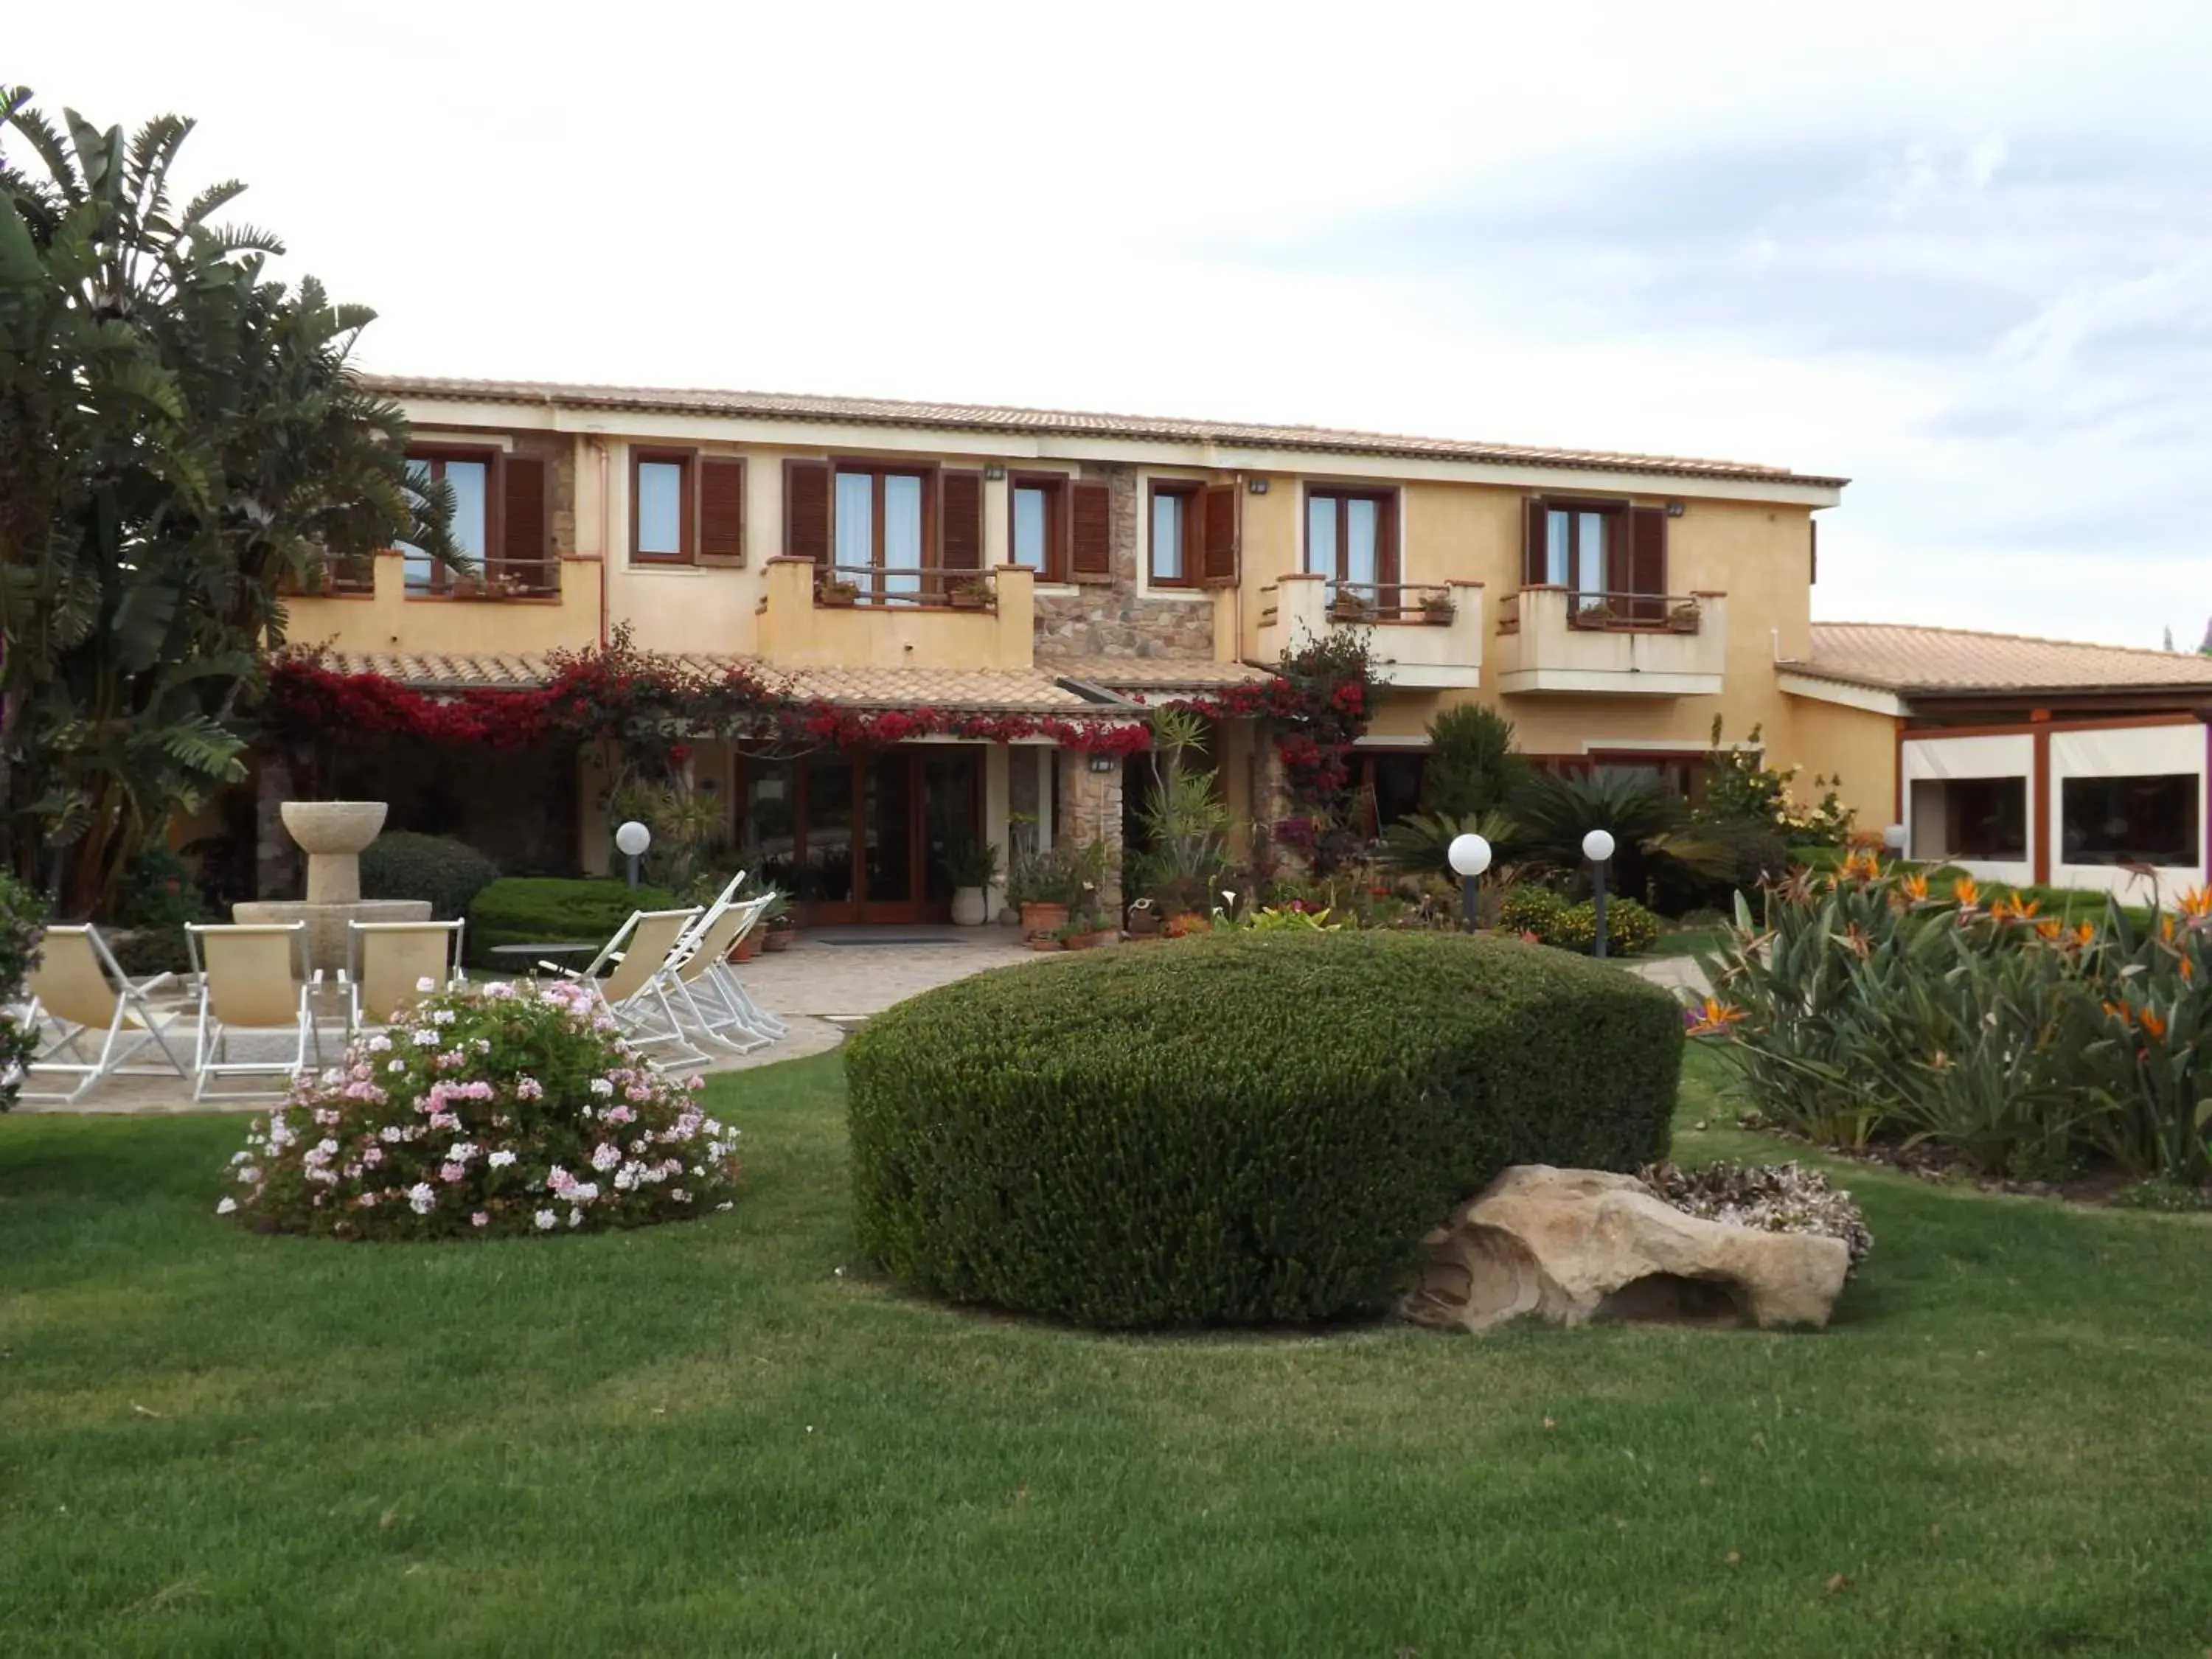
(1072, 424)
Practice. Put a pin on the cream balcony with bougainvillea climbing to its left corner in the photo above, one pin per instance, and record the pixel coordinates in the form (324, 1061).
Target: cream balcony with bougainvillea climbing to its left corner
(1417, 634)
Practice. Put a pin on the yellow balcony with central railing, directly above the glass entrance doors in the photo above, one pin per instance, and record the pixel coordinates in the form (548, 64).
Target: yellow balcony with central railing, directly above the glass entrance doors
(873, 618)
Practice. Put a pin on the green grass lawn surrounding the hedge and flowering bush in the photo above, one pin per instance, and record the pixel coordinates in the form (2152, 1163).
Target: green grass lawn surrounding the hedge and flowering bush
(722, 1439)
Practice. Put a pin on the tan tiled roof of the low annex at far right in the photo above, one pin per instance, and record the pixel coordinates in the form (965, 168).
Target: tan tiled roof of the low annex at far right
(1908, 660)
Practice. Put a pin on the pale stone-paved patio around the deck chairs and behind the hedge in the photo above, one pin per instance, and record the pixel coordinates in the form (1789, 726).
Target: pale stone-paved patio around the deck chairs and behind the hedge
(824, 985)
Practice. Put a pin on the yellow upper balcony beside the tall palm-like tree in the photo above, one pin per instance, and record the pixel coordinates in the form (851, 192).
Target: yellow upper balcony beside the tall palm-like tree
(373, 605)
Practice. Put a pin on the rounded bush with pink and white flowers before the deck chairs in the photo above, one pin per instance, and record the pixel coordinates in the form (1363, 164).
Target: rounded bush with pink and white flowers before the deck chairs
(488, 1112)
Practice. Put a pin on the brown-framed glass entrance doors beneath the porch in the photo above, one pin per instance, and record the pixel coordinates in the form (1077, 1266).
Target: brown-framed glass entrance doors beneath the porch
(864, 837)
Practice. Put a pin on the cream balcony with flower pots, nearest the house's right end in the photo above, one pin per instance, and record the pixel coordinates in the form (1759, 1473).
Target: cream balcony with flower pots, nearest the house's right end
(1638, 645)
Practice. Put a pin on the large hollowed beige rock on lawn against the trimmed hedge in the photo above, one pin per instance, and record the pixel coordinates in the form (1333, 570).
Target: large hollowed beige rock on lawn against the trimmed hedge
(1580, 1246)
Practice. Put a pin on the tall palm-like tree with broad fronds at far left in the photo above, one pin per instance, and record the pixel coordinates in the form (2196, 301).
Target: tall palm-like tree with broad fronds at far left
(180, 441)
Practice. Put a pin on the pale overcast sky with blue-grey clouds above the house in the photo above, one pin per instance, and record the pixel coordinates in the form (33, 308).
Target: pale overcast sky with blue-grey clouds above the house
(1959, 253)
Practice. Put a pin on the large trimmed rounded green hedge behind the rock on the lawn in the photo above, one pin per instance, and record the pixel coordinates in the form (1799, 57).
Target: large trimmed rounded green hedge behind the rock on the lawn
(1238, 1127)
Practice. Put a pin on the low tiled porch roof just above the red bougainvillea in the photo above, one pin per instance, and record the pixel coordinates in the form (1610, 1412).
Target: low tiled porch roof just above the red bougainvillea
(988, 691)
